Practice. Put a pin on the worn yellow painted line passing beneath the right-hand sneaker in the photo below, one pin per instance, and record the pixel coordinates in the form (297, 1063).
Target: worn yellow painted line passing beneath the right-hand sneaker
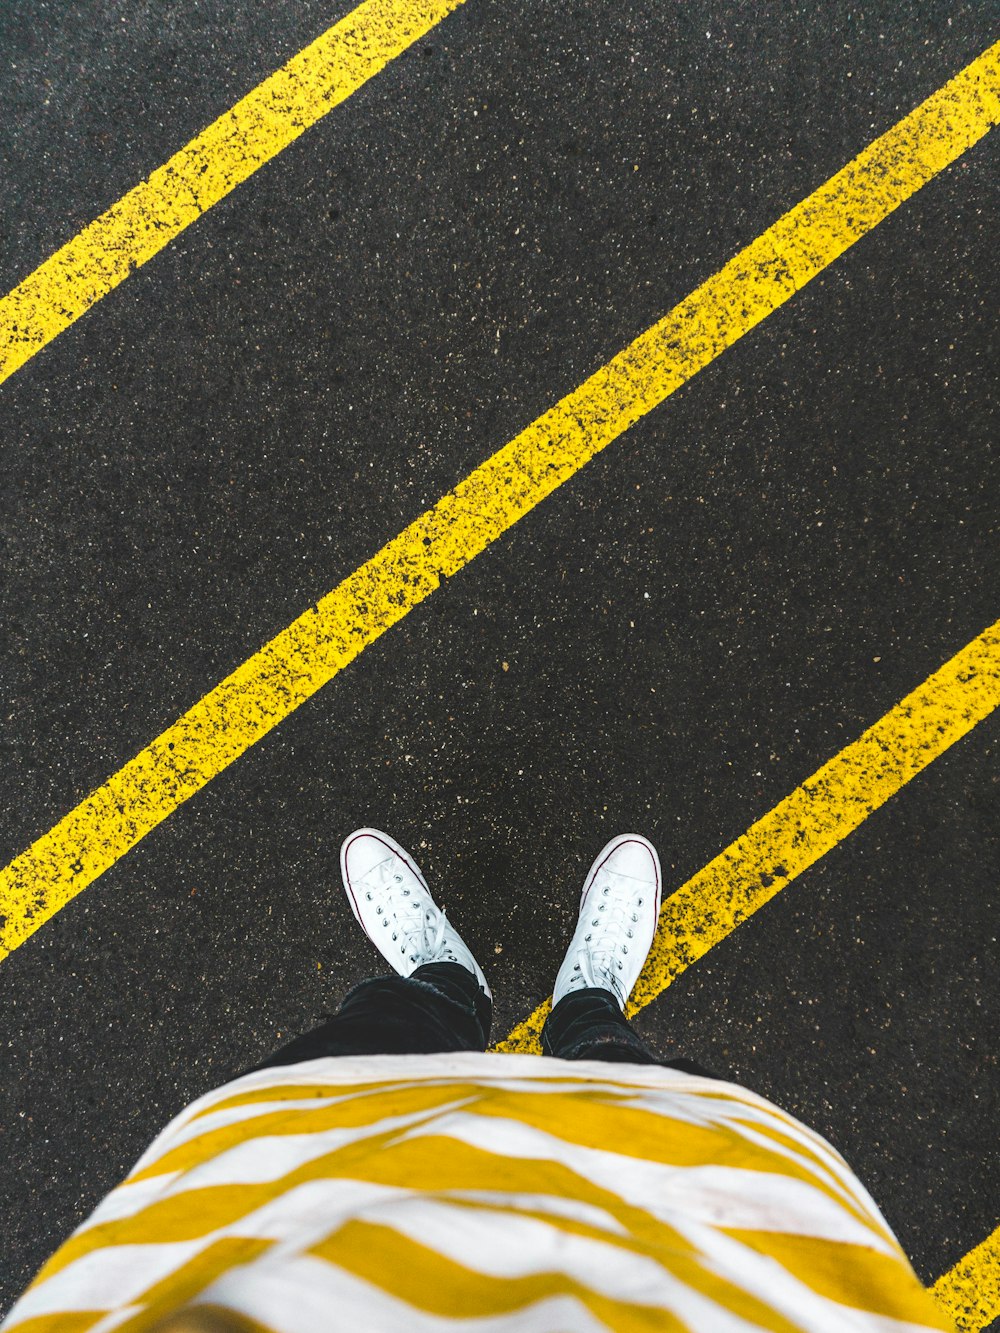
(811, 822)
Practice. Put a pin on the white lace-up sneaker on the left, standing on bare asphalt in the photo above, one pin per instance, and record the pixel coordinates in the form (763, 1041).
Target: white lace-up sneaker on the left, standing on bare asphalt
(394, 907)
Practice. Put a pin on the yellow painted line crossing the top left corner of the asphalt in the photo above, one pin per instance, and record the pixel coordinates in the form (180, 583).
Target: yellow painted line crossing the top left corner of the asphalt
(205, 171)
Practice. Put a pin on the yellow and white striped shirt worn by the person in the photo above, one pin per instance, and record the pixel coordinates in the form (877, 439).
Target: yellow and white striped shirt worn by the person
(490, 1194)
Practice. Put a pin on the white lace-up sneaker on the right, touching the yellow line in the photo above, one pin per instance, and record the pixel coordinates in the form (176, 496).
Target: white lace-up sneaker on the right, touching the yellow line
(619, 911)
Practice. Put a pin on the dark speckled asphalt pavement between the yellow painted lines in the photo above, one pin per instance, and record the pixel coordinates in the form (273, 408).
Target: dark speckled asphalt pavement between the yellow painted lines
(670, 645)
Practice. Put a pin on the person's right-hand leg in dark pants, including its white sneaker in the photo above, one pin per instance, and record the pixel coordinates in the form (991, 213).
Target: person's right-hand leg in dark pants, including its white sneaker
(619, 908)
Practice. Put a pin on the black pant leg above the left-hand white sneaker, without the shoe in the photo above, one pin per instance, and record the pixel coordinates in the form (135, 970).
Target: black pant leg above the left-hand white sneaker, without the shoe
(441, 1007)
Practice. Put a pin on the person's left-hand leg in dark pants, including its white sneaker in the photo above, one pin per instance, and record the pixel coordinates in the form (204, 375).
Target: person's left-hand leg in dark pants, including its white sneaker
(439, 1002)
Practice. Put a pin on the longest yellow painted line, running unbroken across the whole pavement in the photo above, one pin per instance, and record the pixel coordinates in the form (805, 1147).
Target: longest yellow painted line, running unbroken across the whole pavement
(321, 643)
